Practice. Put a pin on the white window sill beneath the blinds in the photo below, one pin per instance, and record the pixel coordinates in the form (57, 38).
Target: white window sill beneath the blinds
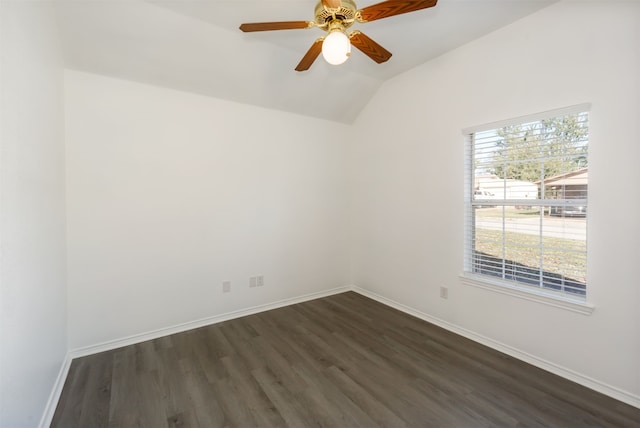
(530, 294)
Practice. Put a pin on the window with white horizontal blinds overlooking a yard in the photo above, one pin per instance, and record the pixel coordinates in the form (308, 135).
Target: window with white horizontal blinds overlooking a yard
(526, 204)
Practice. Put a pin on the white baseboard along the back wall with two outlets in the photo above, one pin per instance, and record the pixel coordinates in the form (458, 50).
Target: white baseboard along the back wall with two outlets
(143, 337)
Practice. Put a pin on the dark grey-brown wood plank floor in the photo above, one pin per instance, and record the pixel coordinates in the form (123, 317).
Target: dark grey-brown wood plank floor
(340, 361)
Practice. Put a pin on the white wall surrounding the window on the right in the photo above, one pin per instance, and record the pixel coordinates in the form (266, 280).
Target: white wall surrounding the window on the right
(408, 183)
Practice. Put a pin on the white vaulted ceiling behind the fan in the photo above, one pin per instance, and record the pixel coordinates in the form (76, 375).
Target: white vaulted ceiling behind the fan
(196, 46)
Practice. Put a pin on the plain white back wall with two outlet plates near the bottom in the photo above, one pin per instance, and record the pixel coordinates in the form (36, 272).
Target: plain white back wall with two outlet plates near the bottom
(169, 194)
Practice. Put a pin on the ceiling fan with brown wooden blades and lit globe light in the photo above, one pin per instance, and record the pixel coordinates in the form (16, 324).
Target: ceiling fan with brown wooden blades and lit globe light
(334, 17)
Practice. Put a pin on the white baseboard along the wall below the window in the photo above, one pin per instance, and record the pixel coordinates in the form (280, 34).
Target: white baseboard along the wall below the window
(596, 385)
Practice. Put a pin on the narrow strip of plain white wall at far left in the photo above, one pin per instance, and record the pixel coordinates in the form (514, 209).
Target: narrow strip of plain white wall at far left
(33, 339)
